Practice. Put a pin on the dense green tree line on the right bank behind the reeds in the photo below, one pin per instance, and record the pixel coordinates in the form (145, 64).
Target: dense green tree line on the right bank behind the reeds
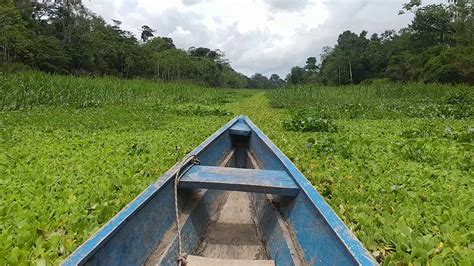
(437, 46)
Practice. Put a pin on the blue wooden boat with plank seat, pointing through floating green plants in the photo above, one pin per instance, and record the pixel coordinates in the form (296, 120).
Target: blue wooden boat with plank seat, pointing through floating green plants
(241, 202)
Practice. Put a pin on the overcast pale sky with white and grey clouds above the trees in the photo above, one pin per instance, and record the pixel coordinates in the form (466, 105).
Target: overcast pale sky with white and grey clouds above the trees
(257, 36)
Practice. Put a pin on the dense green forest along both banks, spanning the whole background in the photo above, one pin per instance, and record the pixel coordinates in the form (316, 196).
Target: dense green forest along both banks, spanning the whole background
(65, 37)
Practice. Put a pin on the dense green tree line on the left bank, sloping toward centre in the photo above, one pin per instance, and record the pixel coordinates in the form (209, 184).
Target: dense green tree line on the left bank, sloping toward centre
(65, 37)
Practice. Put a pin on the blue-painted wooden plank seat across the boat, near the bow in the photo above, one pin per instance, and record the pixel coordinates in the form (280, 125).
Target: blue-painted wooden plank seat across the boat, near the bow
(240, 179)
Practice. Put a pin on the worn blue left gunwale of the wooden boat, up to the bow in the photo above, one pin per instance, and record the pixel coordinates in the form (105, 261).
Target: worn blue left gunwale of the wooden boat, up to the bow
(100, 237)
